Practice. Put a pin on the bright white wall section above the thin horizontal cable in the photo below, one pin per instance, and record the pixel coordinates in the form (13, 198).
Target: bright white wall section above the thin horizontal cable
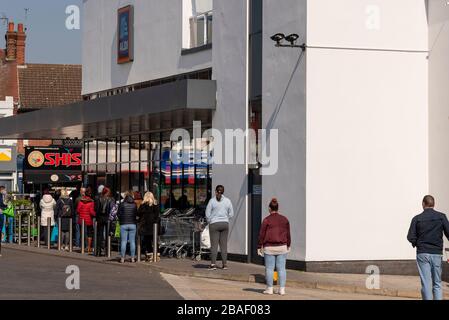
(380, 24)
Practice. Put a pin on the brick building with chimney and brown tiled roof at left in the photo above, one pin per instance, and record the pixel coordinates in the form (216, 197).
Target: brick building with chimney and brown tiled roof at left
(27, 87)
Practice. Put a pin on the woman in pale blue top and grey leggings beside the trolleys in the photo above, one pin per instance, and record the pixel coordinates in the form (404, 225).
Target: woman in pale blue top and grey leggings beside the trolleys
(218, 213)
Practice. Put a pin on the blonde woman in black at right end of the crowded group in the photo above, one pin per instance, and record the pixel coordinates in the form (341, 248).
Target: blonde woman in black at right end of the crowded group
(148, 214)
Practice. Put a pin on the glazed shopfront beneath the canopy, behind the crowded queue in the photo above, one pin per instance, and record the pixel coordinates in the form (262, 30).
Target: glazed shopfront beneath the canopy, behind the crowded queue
(142, 163)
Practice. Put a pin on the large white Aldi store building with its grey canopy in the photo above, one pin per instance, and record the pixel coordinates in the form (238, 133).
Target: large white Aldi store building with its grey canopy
(351, 114)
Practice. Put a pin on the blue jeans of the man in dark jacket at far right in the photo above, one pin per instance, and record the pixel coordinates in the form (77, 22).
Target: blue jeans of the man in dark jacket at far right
(429, 267)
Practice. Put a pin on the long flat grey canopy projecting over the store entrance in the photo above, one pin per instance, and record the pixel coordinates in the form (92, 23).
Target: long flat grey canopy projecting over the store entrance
(159, 108)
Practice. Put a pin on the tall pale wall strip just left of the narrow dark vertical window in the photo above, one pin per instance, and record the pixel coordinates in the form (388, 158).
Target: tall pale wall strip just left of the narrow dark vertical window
(229, 69)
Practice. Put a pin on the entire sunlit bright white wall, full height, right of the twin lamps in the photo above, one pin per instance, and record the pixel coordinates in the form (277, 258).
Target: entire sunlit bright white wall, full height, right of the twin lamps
(367, 130)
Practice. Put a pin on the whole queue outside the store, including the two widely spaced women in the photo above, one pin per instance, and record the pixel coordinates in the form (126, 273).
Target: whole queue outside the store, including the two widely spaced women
(137, 214)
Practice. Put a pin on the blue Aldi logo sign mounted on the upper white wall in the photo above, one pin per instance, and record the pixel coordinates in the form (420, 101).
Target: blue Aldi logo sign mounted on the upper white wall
(125, 34)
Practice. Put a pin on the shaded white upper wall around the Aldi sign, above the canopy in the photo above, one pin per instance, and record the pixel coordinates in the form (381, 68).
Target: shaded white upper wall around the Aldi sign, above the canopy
(157, 44)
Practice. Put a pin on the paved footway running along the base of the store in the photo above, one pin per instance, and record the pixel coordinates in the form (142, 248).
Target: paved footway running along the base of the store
(390, 286)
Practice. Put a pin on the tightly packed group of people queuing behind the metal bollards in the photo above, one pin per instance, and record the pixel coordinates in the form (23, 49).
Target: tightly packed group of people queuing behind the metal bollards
(132, 214)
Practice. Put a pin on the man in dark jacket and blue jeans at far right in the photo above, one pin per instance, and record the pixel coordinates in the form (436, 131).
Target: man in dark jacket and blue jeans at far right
(426, 234)
